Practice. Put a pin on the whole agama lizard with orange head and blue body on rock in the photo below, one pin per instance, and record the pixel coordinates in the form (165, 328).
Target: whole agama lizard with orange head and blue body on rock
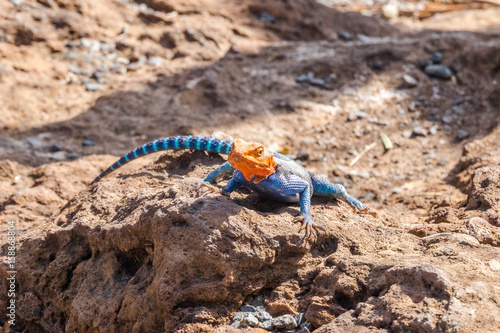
(270, 174)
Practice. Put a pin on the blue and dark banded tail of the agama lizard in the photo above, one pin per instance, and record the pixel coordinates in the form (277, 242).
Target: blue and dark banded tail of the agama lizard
(177, 142)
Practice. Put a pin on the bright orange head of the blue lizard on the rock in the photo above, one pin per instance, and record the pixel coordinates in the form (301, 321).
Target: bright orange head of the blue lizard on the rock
(253, 160)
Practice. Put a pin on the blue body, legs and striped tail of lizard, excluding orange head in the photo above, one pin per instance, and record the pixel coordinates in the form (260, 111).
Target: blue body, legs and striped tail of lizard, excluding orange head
(289, 183)
